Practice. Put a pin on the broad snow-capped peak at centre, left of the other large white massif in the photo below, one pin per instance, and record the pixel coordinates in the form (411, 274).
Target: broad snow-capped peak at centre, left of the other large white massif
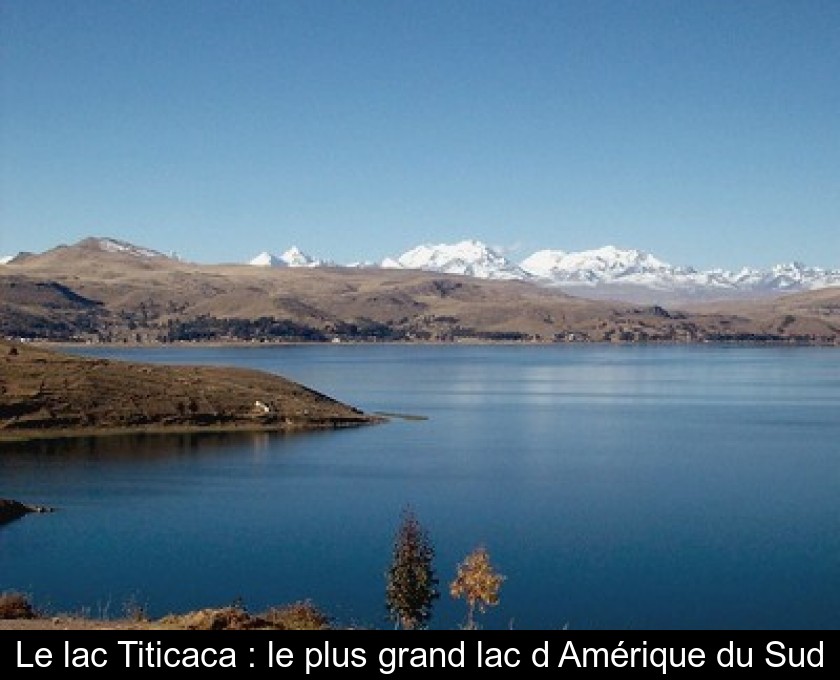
(469, 258)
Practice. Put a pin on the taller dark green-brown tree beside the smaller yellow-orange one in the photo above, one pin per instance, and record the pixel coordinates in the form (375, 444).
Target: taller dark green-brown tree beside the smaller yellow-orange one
(411, 587)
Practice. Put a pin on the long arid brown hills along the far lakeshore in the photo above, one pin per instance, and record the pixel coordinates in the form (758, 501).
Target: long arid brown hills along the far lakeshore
(85, 293)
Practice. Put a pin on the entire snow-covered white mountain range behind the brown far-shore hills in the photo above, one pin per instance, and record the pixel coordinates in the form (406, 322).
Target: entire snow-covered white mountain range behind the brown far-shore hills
(607, 272)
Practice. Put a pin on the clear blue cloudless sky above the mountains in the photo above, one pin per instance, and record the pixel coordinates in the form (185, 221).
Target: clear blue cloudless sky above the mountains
(705, 132)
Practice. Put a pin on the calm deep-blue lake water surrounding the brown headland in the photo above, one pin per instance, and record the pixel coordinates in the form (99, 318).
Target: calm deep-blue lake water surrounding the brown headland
(615, 487)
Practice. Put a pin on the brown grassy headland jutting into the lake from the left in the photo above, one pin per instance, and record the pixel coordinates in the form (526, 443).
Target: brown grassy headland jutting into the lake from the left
(47, 393)
